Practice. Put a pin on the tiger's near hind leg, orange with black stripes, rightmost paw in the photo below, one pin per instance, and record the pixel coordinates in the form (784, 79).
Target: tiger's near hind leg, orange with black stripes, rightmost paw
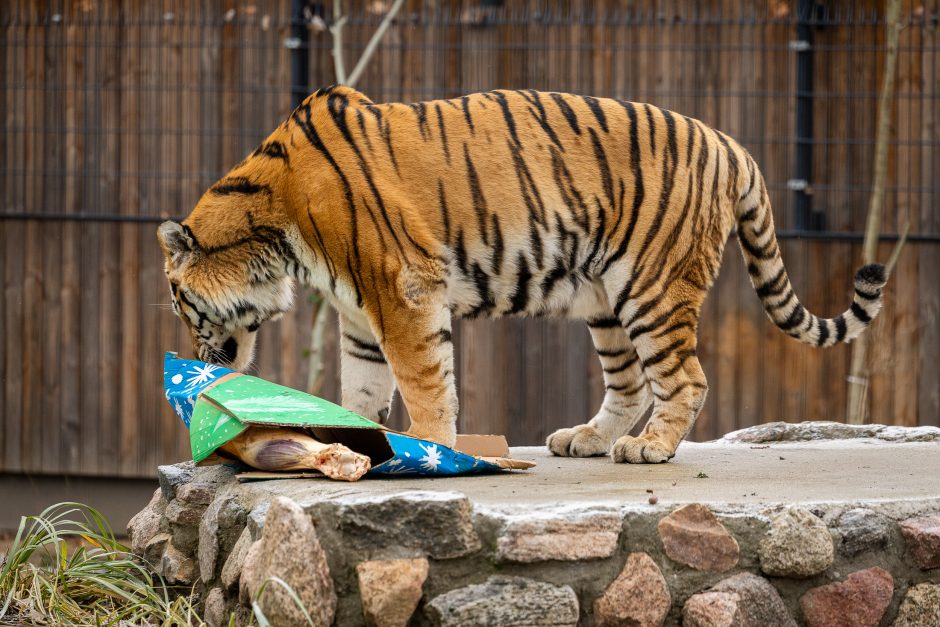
(664, 336)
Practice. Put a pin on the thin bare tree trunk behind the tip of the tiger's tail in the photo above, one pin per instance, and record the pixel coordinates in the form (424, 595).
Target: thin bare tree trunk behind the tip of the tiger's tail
(857, 406)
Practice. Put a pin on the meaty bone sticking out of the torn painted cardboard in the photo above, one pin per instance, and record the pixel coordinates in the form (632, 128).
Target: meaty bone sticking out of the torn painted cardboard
(277, 449)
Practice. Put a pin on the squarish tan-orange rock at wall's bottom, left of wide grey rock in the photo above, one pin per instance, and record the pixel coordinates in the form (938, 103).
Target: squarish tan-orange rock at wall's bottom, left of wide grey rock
(390, 590)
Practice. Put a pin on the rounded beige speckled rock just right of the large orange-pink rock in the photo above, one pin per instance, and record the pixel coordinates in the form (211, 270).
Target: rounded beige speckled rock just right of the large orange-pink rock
(798, 544)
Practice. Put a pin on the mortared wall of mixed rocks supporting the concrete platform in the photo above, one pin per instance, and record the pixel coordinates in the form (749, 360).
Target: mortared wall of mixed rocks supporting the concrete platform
(435, 558)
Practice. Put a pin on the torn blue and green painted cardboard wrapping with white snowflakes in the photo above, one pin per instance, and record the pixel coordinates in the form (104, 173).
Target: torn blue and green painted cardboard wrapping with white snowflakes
(218, 404)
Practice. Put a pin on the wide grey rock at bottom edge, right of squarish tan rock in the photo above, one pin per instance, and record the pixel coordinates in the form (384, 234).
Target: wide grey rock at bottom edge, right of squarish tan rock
(506, 601)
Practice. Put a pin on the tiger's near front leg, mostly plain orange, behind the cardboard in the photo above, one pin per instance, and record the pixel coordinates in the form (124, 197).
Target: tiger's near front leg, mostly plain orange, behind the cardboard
(416, 341)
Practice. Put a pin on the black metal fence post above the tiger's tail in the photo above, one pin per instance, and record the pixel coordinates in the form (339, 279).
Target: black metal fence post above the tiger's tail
(803, 167)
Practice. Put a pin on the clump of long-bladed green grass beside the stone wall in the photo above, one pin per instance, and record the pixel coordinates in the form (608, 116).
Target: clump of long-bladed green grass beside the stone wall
(98, 583)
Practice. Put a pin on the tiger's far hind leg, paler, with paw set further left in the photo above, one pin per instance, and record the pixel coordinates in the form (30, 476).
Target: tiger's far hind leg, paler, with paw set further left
(626, 399)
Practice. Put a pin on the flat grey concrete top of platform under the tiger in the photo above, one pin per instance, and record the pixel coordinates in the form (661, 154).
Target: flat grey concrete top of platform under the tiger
(840, 471)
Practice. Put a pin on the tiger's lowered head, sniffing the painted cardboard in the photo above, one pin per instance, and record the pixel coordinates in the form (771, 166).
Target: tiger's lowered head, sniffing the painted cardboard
(229, 265)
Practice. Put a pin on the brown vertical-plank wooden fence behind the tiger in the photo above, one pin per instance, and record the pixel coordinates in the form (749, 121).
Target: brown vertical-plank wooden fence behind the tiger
(119, 113)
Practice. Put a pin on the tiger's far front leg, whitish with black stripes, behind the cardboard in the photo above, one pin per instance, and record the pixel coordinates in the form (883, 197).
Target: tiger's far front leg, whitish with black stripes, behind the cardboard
(367, 383)
